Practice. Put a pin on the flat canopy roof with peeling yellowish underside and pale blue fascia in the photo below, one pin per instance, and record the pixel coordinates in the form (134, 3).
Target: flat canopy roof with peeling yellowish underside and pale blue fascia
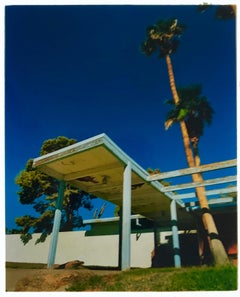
(96, 166)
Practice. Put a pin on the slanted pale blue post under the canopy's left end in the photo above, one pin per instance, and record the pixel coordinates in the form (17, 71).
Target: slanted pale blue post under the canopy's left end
(56, 225)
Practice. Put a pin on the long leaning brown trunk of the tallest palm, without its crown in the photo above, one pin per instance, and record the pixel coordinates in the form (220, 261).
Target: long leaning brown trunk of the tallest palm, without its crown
(217, 249)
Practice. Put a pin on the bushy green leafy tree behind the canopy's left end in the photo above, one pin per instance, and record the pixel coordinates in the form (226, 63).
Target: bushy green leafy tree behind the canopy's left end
(41, 191)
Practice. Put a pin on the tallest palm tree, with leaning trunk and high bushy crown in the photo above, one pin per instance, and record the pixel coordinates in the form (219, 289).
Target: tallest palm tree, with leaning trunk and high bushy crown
(164, 37)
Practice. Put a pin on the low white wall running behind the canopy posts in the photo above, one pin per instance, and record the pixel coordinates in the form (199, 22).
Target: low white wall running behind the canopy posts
(93, 250)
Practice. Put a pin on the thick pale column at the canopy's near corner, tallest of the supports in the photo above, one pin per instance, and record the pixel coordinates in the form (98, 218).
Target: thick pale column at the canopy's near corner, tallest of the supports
(126, 219)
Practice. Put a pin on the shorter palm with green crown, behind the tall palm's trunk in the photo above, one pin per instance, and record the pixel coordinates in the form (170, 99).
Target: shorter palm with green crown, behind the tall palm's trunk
(195, 110)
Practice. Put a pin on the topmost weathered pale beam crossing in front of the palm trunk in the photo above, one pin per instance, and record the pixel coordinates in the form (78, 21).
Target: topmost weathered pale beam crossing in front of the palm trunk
(192, 170)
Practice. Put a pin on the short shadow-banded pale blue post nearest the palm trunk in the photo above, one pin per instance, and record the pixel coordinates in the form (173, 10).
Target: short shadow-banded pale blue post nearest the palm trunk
(176, 247)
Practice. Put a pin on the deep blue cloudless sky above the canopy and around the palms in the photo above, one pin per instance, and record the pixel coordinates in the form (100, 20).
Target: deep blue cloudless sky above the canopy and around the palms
(77, 71)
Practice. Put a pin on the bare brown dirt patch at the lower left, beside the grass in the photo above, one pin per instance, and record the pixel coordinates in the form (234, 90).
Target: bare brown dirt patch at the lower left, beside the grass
(39, 280)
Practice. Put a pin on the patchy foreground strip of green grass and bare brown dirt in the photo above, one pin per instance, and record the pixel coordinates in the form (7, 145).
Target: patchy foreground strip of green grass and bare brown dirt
(135, 280)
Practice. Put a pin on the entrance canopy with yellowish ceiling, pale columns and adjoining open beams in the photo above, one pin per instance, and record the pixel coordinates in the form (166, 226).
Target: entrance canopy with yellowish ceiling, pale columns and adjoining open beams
(99, 167)
